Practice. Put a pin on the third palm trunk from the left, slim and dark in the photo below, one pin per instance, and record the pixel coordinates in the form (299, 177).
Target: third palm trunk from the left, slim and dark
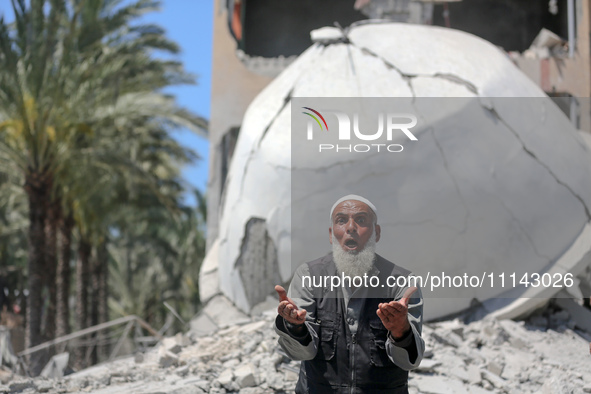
(84, 250)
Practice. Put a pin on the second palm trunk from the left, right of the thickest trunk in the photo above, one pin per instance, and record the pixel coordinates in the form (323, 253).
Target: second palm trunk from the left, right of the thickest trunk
(65, 227)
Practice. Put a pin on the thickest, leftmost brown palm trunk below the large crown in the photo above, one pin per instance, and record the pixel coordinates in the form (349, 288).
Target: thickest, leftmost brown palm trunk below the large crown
(37, 187)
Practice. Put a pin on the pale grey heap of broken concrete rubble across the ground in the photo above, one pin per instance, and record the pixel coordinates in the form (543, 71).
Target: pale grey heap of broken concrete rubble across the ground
(545, 354)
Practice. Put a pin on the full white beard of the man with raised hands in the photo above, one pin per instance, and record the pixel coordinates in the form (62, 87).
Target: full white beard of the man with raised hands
(354, 264)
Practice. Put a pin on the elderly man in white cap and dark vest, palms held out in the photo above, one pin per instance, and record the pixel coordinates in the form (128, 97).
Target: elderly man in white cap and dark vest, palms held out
(351, 339)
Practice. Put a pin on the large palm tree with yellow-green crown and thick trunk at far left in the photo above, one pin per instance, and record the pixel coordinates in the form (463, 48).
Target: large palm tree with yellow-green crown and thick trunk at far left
(81, 80)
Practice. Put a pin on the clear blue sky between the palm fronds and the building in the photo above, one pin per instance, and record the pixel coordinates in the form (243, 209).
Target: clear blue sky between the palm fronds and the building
(190, 24)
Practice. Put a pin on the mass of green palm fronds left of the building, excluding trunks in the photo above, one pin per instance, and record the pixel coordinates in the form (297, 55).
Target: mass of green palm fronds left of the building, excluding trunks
(82, 109)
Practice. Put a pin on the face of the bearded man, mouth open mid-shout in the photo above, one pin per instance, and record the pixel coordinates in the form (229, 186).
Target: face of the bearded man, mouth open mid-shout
(353, 223)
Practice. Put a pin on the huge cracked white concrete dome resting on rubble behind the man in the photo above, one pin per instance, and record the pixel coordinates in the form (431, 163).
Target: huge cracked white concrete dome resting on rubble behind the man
(513, 195)
